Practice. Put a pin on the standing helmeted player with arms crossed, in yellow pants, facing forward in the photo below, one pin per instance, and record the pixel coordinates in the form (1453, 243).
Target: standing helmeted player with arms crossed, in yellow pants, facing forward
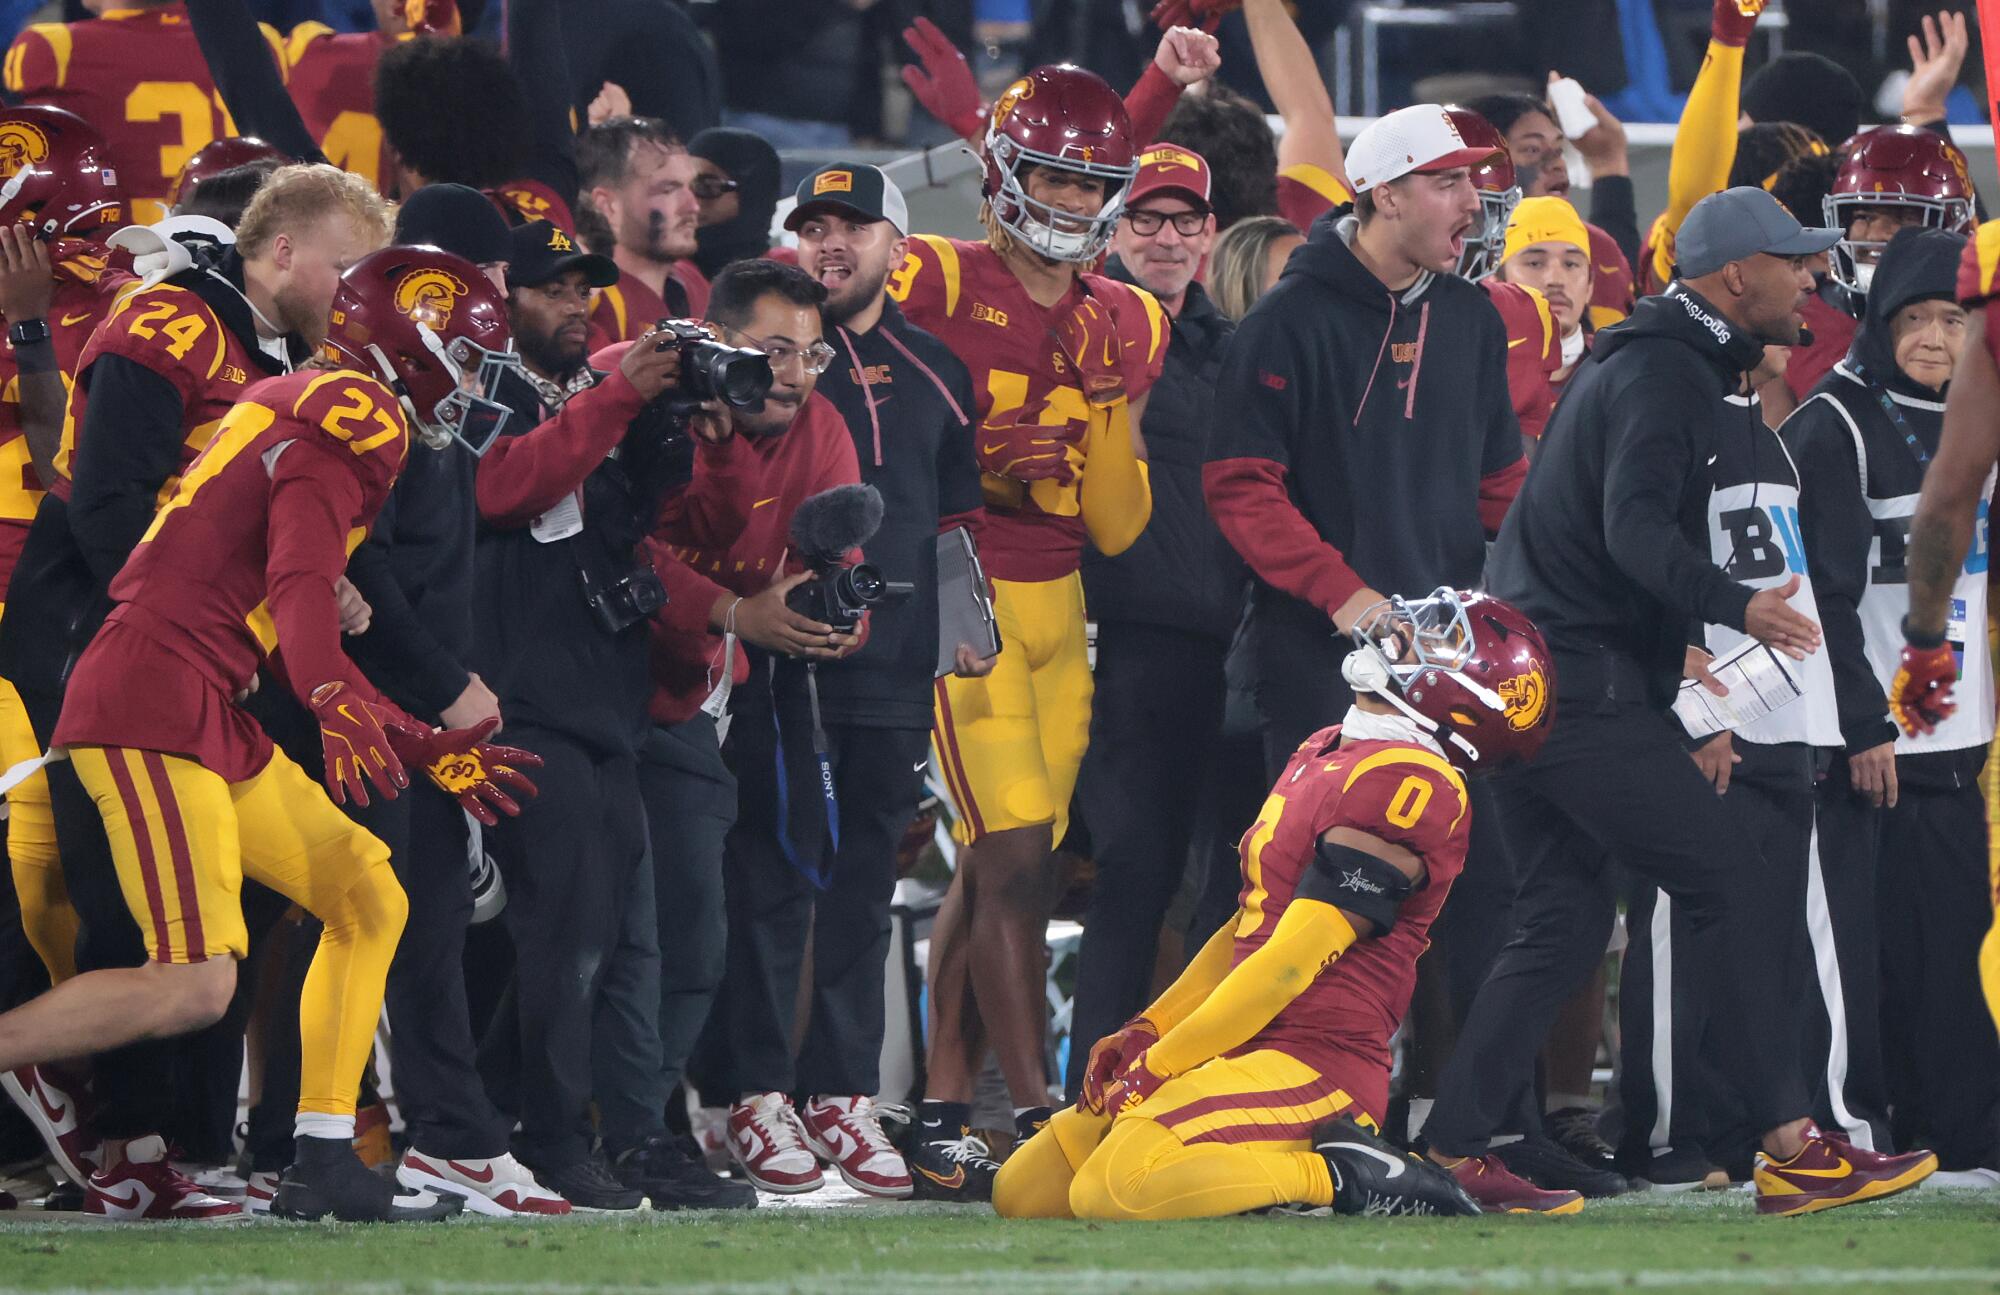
(1063, 361)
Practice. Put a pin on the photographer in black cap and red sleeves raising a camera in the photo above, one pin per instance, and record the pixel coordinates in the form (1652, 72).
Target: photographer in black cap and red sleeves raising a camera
(563, 601)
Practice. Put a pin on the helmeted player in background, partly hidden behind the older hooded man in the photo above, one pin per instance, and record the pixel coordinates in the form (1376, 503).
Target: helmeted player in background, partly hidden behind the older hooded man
(1891, 177)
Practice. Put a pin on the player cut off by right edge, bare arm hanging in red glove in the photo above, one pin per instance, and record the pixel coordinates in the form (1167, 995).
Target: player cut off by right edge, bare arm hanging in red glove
(1941, 533)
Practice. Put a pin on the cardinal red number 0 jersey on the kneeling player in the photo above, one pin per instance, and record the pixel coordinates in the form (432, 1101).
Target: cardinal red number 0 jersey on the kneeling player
(1397, 792)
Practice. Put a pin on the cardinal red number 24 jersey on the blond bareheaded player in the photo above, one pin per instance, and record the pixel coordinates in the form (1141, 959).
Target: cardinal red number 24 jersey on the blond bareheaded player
(177, 335)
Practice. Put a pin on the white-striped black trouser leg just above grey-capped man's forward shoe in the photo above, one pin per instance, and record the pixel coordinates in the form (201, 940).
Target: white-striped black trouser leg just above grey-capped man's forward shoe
(1843, 1044)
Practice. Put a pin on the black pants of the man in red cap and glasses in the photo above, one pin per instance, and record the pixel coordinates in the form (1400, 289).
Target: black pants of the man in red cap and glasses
(1155, 730)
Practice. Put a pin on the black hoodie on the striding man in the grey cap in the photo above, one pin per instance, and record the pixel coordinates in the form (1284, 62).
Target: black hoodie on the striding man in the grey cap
(1607, 549)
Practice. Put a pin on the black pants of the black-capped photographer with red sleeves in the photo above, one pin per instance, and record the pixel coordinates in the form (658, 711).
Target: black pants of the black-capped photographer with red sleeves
(569, 866)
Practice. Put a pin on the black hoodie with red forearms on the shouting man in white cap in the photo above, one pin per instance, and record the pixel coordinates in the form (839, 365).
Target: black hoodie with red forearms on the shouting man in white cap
(1361, 437)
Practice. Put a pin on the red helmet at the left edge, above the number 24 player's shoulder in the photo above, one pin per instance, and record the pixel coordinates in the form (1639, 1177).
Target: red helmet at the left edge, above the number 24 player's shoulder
(55, 173)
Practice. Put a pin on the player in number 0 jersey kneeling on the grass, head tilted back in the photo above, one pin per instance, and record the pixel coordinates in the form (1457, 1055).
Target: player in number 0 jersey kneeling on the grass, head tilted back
(1261, 1076)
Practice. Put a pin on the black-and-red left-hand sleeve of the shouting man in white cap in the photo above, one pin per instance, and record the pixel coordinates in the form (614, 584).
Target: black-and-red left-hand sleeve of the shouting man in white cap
(1263, 401)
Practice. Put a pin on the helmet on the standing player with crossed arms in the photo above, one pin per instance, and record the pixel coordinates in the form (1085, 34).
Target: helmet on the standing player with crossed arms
(1065, 119)
